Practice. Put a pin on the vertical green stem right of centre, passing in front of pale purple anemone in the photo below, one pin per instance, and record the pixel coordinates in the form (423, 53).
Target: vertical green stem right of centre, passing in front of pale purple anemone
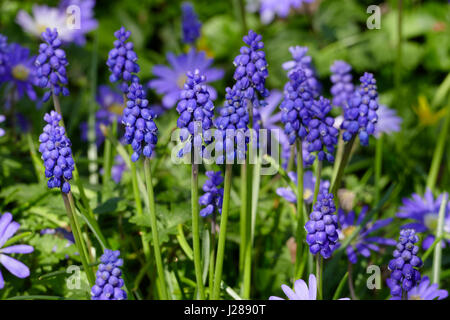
(300, 220)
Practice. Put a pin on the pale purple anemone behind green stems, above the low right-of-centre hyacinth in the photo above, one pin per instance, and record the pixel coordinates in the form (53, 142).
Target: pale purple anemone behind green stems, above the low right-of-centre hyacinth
(309, 182)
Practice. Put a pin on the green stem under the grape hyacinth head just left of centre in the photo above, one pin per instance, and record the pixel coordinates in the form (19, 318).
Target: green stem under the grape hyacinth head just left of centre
(196, 231)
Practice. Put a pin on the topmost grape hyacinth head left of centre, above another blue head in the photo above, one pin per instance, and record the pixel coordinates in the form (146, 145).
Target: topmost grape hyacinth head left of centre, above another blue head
(122, 60)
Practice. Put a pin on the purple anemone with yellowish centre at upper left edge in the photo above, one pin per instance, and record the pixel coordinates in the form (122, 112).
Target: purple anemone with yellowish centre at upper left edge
(20, 71)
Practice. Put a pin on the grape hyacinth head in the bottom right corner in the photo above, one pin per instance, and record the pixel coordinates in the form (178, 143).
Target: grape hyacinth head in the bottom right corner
(404, 275)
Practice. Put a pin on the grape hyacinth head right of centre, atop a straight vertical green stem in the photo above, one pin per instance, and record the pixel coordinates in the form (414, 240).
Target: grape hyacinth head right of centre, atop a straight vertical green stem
(296, 106)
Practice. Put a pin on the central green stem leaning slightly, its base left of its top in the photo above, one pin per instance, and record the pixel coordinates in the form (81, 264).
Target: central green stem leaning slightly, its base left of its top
(222, 232)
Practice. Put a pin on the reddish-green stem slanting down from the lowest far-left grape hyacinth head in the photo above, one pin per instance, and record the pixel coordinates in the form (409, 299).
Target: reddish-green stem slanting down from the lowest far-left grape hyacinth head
(73, 220)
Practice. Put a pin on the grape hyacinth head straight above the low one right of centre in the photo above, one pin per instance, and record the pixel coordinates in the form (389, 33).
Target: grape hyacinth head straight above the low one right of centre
(322, 135)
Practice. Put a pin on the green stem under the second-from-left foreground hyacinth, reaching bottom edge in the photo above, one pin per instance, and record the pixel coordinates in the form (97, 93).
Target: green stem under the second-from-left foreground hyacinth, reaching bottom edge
(154, 227)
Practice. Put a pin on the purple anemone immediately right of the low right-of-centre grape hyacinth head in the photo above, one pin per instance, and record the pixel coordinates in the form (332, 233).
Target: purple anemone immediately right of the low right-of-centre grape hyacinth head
(364, 242)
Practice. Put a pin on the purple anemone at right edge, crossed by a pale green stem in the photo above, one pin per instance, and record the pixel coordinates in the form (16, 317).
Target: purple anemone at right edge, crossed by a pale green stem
(425, 211)
